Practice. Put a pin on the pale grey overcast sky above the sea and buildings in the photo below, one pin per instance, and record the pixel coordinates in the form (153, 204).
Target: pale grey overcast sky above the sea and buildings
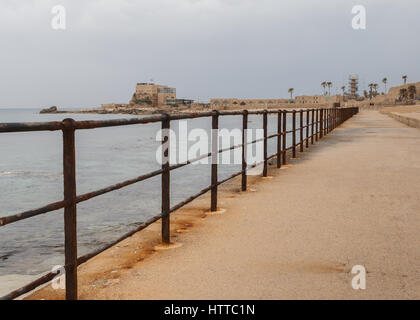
(204, 48)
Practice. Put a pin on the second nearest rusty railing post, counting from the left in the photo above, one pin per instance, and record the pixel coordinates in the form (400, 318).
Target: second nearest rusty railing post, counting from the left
(165, 180)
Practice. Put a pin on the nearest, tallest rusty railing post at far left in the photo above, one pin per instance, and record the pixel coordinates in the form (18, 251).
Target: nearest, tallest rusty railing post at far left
(70, 209)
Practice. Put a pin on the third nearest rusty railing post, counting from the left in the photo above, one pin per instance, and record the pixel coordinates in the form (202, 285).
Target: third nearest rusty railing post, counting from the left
(214, 159)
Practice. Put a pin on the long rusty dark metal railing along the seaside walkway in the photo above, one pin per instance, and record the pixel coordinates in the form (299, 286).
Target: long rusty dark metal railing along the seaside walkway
(318, 121)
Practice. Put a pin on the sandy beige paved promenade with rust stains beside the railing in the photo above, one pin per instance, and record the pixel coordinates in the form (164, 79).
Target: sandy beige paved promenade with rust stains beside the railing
(353, 199)
